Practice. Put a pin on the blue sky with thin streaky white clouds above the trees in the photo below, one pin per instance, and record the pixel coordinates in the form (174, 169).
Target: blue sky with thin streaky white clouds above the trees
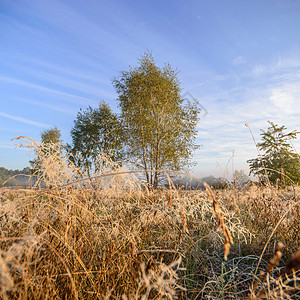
(240, 59)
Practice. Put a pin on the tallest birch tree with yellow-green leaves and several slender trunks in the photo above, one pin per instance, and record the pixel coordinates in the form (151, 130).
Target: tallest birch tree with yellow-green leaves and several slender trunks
(160, 125)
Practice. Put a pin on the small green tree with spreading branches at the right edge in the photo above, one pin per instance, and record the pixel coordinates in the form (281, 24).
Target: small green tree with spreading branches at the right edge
(277, 160)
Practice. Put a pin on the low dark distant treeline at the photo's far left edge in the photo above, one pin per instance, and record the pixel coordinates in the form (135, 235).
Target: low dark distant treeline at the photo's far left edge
(20, 177)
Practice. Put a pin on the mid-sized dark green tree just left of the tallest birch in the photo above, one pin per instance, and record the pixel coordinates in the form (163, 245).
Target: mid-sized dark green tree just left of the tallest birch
(96, 131)
